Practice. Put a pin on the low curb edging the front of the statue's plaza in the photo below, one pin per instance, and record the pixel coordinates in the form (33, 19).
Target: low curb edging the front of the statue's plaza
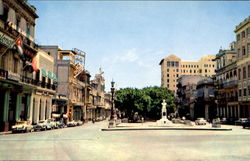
(199, 129)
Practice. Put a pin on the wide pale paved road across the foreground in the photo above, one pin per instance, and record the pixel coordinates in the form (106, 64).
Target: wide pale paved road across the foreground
(88, 142)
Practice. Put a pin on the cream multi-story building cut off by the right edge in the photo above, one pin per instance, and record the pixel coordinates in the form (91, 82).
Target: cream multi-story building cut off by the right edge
(242, 47)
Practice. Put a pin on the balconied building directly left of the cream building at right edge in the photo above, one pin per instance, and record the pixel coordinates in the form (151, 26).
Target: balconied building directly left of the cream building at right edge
(227, 84)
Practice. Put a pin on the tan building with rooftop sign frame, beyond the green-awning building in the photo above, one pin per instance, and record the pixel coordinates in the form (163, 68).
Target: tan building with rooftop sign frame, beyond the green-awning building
(69, 67)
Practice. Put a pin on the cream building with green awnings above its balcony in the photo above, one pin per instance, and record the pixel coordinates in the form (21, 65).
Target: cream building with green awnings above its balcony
(46, 81)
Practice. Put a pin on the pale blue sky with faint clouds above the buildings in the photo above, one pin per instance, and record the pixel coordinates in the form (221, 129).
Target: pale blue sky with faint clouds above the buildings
(128, 39)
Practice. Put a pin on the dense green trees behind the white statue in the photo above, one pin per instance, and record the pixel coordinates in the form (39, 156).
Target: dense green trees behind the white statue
(146, 102)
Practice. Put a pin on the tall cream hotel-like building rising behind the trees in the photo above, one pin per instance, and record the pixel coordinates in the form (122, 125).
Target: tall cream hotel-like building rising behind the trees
(173, 67)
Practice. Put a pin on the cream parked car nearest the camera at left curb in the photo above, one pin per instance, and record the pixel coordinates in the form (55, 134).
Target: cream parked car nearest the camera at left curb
(22, 126)
